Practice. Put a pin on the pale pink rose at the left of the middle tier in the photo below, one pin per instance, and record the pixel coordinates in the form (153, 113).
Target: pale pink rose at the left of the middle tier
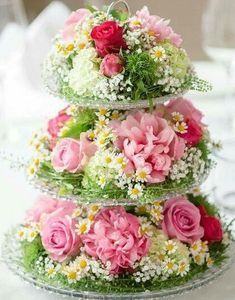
(72, 155)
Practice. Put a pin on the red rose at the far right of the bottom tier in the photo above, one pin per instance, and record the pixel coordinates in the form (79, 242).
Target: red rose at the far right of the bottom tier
(212, 227)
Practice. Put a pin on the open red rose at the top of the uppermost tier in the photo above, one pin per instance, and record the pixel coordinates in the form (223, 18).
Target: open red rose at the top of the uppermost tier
(108, 38)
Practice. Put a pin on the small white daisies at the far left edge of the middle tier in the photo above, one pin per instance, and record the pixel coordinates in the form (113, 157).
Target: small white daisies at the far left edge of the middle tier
(39, 143)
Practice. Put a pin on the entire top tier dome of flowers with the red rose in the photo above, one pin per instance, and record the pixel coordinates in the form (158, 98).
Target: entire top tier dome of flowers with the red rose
(116, 60)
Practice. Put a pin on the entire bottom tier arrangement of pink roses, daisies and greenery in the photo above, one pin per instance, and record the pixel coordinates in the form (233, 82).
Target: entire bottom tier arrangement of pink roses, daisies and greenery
(118, 250)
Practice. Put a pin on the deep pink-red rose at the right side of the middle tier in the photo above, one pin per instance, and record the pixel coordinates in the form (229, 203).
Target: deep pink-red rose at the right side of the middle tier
(193, 134)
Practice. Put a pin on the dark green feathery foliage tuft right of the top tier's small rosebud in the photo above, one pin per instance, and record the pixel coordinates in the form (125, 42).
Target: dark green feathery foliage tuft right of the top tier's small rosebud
(141, 71)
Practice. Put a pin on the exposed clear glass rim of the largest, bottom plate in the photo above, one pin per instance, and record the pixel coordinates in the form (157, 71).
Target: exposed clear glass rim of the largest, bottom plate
(11, 256)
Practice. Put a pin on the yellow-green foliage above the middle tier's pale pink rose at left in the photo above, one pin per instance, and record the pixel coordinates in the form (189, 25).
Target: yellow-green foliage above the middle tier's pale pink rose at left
(84, 121)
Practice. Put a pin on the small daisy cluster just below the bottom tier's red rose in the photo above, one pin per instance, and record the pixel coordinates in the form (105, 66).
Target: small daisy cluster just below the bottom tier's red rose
(200, 253)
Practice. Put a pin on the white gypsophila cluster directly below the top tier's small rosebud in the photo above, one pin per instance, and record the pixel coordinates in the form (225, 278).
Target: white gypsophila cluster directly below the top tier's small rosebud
(113, 89)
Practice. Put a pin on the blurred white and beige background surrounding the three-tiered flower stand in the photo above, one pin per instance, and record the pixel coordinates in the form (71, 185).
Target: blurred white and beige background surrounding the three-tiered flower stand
(26, 30)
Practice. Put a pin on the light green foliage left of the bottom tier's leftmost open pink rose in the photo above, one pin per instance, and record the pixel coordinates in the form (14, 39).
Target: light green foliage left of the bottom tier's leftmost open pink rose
(31, 251)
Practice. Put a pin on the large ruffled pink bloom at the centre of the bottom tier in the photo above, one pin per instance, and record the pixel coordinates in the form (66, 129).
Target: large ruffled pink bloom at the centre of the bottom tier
(114, 237)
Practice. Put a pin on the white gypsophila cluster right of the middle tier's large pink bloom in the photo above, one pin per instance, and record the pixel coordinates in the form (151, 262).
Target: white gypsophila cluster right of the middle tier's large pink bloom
(190, 163)
